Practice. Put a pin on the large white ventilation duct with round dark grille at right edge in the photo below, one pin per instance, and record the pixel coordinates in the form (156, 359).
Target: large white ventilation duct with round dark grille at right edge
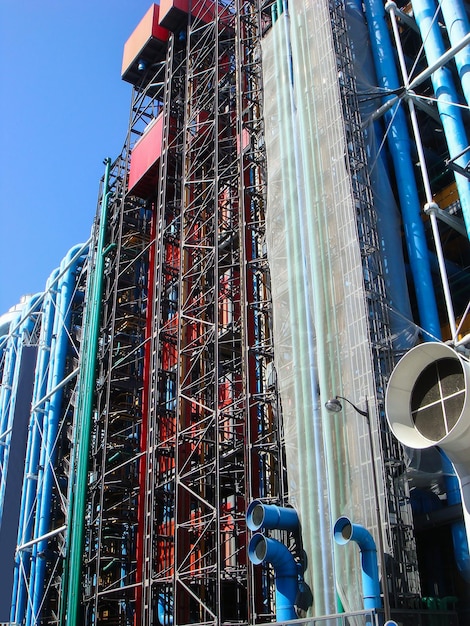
(427, 404)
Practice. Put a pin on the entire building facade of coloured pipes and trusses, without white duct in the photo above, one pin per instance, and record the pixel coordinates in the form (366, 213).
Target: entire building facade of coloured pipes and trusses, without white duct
(287, 219)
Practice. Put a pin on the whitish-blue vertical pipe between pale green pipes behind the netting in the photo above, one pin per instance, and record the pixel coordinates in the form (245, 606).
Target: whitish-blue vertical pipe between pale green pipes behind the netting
(309, 423)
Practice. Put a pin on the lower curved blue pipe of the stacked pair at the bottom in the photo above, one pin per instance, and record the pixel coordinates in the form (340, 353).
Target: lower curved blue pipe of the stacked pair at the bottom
(266, 550)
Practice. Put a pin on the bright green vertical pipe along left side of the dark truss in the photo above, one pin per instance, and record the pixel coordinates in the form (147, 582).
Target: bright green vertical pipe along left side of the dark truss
(86, 386)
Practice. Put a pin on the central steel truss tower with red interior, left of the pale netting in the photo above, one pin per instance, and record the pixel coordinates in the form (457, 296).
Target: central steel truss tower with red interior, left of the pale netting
(213, 434)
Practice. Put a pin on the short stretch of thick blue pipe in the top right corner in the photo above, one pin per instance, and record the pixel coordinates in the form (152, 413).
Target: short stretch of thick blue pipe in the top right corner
(458, 25)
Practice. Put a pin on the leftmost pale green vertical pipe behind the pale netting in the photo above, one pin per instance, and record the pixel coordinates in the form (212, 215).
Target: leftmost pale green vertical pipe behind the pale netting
(301, 414)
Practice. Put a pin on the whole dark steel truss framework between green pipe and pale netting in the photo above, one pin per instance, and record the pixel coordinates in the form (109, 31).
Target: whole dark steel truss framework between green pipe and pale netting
(186, 424)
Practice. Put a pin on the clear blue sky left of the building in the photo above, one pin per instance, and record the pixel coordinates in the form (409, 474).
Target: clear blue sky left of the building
(63, 109)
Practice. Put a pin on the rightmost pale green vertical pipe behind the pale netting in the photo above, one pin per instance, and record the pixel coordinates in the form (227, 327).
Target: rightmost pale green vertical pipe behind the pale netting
(325, 323)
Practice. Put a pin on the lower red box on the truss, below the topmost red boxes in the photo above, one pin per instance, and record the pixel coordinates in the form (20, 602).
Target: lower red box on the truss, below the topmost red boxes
(145, 159)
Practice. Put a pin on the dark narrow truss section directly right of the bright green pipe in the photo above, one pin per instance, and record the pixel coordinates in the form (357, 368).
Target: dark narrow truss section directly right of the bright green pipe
(111, 532)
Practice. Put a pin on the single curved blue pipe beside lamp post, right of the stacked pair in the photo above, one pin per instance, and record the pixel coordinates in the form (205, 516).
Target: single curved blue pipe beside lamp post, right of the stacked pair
(345, 531)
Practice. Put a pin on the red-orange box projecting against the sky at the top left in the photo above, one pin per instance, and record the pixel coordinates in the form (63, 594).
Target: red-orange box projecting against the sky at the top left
(146, 45)
